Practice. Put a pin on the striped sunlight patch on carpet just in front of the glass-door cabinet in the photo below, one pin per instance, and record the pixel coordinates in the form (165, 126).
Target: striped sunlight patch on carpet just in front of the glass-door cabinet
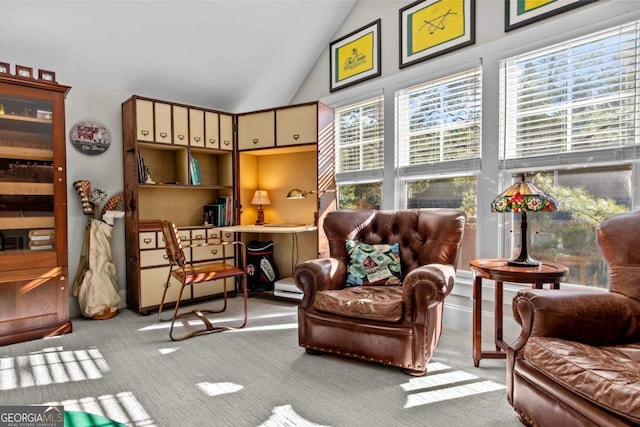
(53, 365)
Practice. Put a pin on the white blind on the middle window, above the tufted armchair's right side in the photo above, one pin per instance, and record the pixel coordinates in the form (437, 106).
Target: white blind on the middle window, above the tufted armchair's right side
(439, 121)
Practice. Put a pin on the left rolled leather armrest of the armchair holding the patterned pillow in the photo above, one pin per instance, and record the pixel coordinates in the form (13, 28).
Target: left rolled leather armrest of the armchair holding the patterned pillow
(319, 274)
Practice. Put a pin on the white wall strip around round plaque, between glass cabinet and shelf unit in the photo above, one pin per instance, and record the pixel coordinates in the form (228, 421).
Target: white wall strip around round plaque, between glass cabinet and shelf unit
(104, 171)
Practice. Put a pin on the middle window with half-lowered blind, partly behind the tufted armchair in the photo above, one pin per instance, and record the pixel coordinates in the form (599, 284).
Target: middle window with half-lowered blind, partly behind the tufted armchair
(439, 134)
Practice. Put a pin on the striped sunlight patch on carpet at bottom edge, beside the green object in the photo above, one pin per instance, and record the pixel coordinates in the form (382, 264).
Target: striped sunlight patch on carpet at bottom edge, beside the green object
(122, 407)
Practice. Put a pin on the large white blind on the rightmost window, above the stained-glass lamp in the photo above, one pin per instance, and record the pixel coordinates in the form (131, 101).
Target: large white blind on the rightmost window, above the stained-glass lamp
(572, 97)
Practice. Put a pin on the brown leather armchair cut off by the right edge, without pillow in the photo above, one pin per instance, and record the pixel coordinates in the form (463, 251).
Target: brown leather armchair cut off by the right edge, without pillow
(577, 359)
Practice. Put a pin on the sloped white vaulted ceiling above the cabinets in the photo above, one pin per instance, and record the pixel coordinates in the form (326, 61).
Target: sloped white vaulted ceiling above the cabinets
(232, 55)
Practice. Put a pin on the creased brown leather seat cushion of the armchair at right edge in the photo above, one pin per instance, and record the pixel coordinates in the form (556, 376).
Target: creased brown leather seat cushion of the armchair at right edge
(609, 376)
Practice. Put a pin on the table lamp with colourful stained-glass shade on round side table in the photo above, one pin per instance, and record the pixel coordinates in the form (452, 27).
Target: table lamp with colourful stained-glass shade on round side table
(524, 197)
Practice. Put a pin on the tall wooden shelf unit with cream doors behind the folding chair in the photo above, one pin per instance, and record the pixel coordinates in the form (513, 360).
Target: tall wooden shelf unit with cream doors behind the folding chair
(173, 190)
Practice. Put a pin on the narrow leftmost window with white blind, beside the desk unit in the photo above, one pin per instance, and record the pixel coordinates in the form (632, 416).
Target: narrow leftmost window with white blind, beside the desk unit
(359, 140)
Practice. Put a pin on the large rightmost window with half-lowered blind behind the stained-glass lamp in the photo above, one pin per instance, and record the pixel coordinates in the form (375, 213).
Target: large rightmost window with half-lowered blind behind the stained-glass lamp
(569, 112)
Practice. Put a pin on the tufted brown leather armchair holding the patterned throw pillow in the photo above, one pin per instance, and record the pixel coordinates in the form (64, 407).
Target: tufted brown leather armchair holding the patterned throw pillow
(395, 325)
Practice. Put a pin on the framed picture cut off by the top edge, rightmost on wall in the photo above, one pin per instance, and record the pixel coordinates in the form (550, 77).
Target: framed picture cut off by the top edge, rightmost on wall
(519, 13)
